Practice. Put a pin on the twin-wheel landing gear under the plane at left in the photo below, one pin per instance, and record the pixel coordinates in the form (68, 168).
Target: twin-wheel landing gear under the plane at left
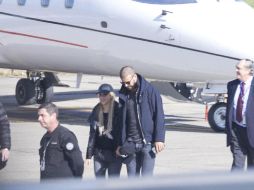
(36, 88)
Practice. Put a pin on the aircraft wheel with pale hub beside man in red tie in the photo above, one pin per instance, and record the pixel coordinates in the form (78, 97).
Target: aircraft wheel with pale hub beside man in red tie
(217, 117)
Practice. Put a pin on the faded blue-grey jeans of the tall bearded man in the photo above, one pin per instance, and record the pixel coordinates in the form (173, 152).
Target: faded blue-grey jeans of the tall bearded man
(142, 162)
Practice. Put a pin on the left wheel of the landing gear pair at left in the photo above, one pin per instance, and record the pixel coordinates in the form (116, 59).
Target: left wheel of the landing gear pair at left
(25, 92)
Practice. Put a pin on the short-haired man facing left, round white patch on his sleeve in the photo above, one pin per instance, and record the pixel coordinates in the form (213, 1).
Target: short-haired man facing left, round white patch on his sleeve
(60, 156)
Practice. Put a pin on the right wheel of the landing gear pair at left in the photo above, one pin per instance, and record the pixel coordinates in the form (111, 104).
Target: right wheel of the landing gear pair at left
(45, 91)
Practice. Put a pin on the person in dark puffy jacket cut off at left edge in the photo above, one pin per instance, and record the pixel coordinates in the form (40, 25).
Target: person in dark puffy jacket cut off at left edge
(5, 137)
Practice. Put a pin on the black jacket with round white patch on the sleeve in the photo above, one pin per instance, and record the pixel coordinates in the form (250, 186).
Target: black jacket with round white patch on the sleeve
(63, 157)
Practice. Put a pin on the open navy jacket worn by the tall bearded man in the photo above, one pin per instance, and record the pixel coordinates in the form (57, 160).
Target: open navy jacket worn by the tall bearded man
(150, 112)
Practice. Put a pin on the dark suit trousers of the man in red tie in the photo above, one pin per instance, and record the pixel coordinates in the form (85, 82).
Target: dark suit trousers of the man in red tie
(241, 148)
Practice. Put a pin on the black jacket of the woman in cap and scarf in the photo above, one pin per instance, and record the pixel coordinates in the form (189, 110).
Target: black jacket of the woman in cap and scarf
(94, 134)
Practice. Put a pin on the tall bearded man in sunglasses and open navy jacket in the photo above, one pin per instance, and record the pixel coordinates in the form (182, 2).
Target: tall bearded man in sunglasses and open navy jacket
(143, 133)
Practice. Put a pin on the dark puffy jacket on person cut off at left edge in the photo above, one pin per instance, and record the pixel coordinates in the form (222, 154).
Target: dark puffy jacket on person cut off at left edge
(5, 137)
